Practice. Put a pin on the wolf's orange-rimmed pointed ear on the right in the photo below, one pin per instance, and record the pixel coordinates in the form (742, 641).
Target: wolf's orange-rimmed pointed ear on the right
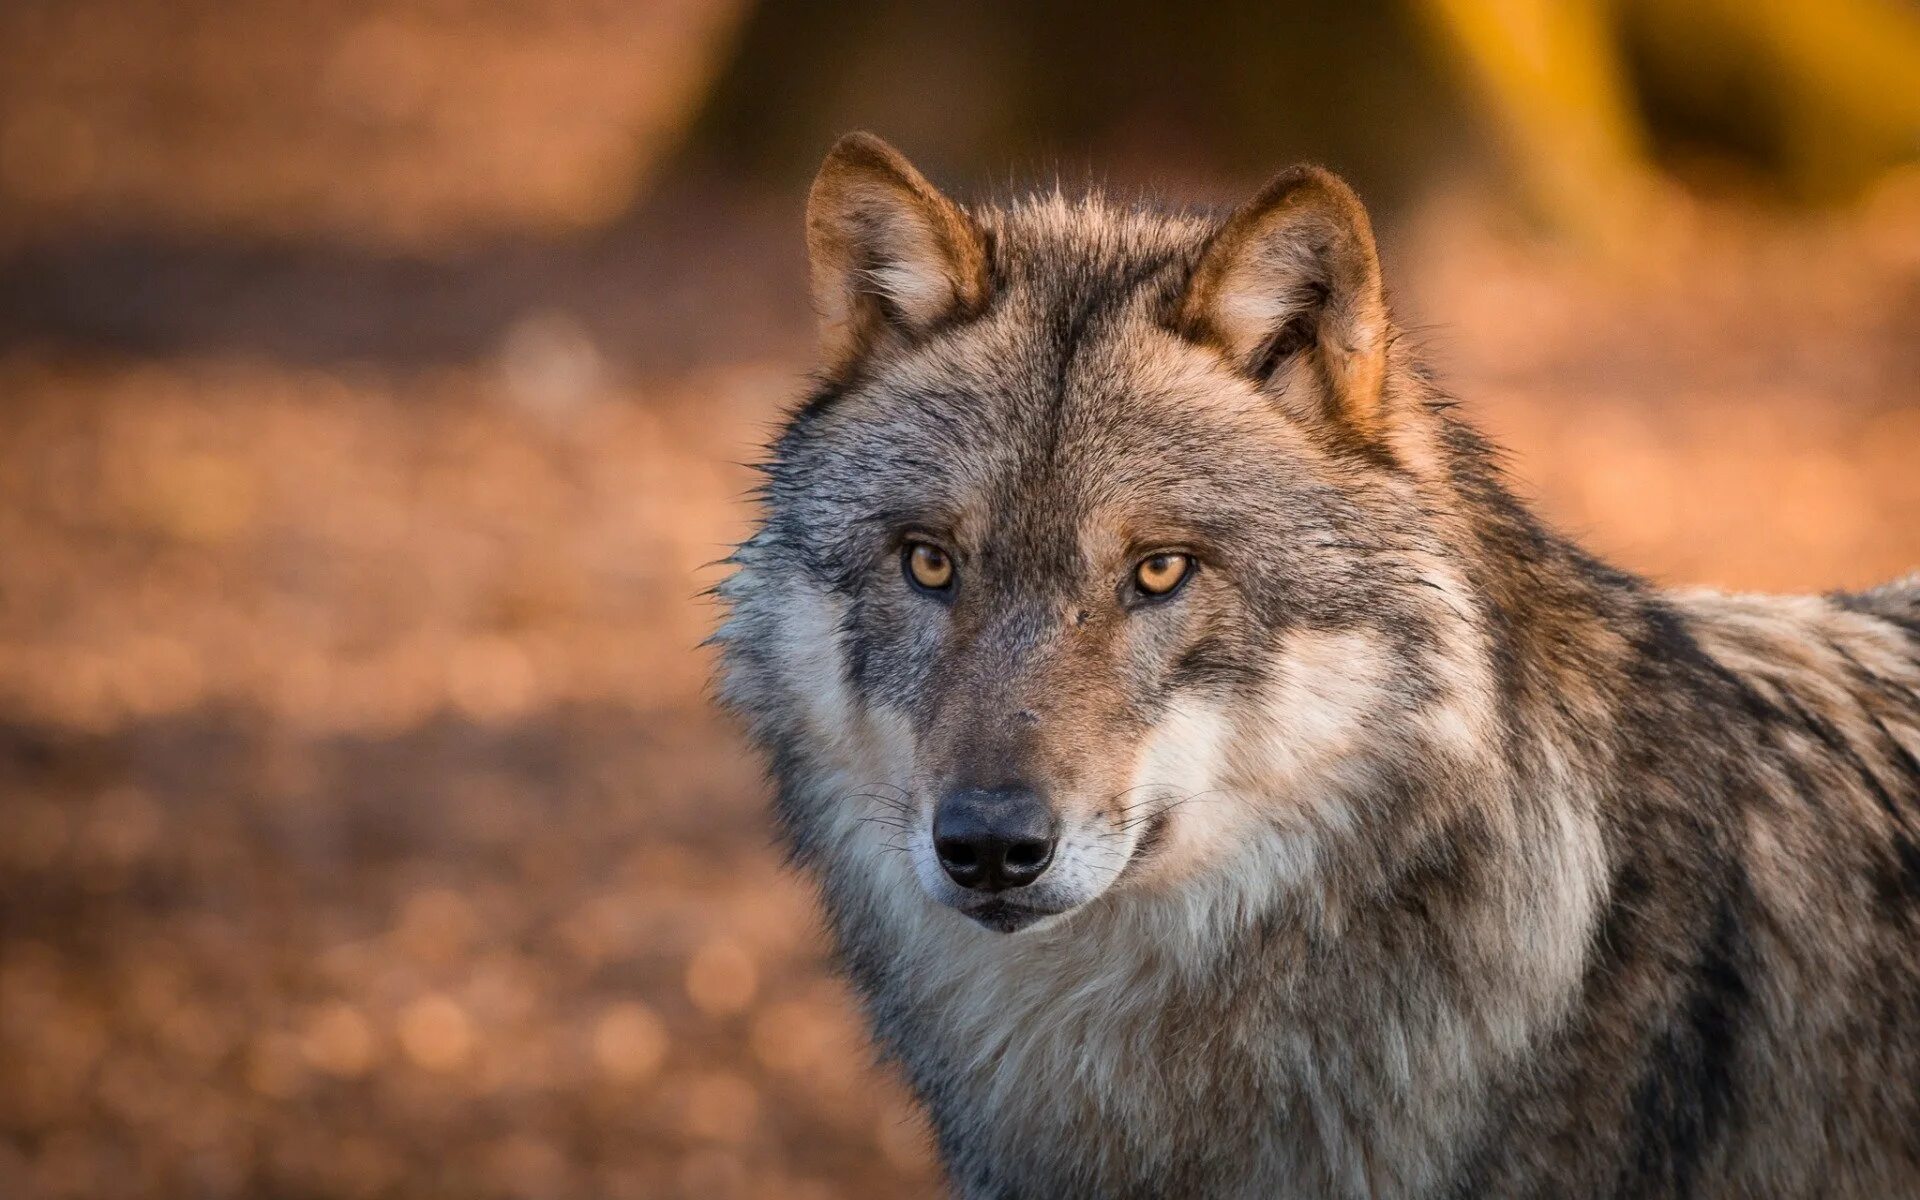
(1291, 291)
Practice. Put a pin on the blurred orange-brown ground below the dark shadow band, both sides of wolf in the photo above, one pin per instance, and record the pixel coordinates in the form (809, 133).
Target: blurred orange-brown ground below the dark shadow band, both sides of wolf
(370, 834)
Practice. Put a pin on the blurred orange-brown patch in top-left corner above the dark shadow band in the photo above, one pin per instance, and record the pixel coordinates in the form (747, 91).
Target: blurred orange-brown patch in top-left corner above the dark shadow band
(404, 124)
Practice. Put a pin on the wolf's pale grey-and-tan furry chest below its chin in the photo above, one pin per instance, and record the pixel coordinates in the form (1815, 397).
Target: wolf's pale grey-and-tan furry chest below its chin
(1093, 1063)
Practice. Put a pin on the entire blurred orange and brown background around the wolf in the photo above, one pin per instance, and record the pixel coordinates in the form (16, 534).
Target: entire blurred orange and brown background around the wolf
(373, 383)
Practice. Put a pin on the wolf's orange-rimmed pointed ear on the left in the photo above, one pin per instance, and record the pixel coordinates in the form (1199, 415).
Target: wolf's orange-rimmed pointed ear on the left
(890, 256)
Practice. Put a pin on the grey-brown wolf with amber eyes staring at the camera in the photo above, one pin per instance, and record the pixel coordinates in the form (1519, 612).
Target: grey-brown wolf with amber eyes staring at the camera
(1218, 784)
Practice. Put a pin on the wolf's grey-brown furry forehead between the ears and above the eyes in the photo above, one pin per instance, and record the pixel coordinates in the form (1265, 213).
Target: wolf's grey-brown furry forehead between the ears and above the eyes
(1067, 402)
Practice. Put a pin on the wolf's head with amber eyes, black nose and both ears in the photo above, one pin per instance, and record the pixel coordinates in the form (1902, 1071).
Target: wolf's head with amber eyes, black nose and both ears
(1107, 550)
